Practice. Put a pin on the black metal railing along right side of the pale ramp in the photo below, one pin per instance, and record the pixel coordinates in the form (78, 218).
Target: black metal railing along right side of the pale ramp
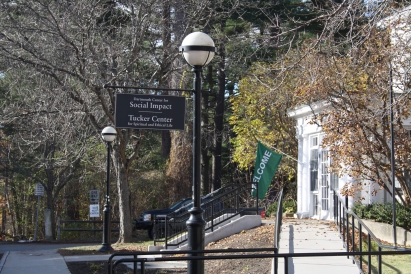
(357, 237)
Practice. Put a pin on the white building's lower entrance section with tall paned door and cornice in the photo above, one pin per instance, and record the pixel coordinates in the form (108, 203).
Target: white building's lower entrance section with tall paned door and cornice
(315, 184)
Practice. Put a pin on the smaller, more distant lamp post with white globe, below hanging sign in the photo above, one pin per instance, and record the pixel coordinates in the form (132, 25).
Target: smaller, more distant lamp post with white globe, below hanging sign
(109, 135)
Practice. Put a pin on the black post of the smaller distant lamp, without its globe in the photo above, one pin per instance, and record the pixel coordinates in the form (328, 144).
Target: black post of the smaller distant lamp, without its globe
(106, 245)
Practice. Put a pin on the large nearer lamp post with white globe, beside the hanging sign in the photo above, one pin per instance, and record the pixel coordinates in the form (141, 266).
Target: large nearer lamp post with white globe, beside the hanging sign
(198, 50)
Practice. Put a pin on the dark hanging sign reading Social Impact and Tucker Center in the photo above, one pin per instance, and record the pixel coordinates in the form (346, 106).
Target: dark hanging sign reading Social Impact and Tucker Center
(143, 111)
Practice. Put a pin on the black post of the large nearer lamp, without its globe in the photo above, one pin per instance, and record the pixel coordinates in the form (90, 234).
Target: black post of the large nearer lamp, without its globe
(196, 223)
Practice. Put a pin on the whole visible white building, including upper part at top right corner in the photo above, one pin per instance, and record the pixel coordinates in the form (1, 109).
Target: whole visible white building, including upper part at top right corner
(315, 184)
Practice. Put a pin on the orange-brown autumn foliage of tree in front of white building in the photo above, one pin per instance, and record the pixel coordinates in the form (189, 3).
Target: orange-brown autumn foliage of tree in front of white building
(355, 84)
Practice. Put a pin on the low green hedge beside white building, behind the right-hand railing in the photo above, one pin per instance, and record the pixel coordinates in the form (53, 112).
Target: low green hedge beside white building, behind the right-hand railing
(383, 213)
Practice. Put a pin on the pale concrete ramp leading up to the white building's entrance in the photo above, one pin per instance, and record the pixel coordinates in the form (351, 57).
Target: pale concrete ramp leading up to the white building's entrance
(306, 236)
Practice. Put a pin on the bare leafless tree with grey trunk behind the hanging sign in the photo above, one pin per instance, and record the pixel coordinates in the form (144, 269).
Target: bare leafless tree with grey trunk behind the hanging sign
(81, 46)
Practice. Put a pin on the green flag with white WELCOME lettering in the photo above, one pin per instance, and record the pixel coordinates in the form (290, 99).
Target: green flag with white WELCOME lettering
(266, 165)
